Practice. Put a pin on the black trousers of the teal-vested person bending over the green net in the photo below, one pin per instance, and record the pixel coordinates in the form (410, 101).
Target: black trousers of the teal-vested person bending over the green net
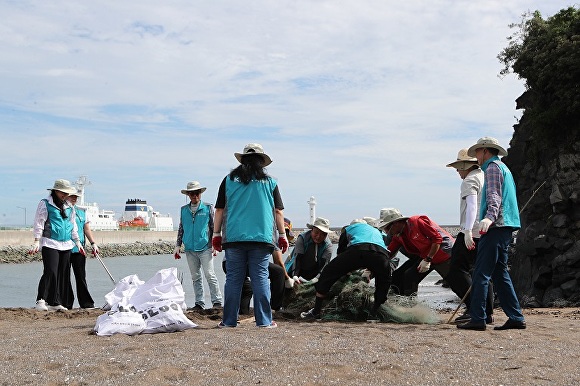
(354, 258)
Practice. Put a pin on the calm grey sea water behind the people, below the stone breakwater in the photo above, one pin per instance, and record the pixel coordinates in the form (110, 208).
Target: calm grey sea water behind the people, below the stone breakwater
(19, 282)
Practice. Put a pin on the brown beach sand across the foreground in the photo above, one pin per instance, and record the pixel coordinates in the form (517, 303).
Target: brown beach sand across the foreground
(59, 348)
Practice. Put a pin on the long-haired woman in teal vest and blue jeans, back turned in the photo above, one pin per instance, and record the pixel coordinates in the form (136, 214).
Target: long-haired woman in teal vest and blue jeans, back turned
(249, 217)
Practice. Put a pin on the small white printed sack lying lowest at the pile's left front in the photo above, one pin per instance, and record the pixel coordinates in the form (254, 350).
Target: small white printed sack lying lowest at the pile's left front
(122, 320)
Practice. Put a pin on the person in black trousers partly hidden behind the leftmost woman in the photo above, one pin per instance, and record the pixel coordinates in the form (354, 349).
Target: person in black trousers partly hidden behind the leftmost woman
(78, 260)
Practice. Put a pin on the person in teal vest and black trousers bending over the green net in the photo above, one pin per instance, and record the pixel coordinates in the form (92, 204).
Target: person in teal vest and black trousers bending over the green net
(360, 245)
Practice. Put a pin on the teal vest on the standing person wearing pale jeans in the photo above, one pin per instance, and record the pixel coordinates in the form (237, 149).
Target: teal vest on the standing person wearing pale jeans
(196, 235)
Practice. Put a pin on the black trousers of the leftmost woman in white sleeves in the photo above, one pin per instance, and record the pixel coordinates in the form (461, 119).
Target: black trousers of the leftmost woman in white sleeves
(54, 284)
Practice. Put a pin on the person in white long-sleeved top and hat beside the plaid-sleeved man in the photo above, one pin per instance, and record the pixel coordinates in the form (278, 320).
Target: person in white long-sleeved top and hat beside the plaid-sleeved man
(464, 249)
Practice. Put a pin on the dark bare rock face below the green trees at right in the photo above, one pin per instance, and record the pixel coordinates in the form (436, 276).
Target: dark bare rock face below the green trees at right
(545, 264)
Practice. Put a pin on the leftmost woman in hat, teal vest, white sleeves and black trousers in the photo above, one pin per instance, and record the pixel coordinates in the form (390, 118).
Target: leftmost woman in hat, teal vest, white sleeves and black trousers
(55, 233)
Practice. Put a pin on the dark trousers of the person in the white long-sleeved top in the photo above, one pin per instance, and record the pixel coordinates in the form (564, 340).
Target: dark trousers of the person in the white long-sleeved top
(459, 277)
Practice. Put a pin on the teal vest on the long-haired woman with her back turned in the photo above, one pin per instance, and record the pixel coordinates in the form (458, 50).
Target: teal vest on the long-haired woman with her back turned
(249, 215)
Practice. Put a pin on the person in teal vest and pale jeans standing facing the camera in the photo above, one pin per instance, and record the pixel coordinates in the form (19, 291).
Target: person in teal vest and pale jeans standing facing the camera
(195, 227)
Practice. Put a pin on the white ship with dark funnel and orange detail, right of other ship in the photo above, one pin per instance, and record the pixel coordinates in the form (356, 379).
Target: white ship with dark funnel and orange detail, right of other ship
(140, 216)
